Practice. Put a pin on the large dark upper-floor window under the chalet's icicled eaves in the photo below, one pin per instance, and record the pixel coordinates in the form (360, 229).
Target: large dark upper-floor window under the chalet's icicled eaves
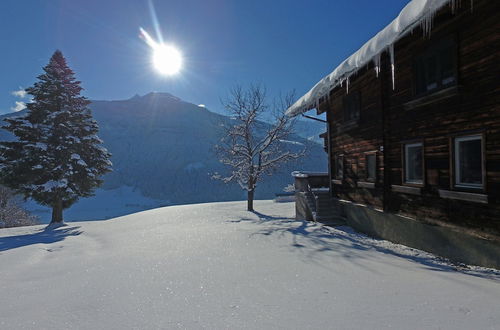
(436, 68)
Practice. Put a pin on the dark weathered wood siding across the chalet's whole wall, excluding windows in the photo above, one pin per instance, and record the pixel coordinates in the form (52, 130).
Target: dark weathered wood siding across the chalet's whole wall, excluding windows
(389, 118)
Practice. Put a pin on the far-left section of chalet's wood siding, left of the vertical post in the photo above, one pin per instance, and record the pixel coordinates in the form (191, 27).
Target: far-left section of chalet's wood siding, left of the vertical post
(354, 139)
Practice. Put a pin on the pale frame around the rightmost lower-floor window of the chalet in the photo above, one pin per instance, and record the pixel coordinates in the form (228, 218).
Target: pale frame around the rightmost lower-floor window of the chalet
(455, 162)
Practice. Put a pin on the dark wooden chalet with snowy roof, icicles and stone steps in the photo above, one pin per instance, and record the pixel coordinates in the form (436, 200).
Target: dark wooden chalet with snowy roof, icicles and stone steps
(413, 134)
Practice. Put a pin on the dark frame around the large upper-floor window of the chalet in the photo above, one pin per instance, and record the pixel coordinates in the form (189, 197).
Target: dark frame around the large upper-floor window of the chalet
(434, 49)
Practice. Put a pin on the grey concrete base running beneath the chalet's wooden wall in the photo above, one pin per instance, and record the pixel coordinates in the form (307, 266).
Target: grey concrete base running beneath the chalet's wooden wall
(454, 245)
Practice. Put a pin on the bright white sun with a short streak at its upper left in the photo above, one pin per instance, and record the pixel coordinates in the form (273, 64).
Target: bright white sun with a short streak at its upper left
(166, 59)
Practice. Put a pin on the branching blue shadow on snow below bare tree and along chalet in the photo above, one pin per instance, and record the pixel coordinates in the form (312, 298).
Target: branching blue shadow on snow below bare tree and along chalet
(315, 241)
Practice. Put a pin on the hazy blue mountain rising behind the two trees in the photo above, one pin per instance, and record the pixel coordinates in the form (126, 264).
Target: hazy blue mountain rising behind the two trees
(162, 147)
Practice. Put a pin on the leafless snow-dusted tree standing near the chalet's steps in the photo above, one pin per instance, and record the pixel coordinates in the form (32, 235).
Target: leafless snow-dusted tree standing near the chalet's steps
(251, 147)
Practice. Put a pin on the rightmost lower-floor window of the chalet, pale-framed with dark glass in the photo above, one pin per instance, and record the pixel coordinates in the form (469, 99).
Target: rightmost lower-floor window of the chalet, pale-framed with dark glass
(469, 161)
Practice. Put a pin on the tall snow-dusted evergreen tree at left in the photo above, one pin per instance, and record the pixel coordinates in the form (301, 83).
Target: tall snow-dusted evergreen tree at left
(57, 157)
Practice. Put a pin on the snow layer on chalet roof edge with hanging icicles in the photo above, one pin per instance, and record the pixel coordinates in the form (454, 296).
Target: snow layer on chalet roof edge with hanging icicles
(415, 13)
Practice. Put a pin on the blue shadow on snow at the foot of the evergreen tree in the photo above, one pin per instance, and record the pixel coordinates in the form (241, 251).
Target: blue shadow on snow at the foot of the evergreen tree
(48, 235)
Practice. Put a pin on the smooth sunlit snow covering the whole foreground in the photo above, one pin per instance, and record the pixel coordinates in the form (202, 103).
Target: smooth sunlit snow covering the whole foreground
(217, 266)
